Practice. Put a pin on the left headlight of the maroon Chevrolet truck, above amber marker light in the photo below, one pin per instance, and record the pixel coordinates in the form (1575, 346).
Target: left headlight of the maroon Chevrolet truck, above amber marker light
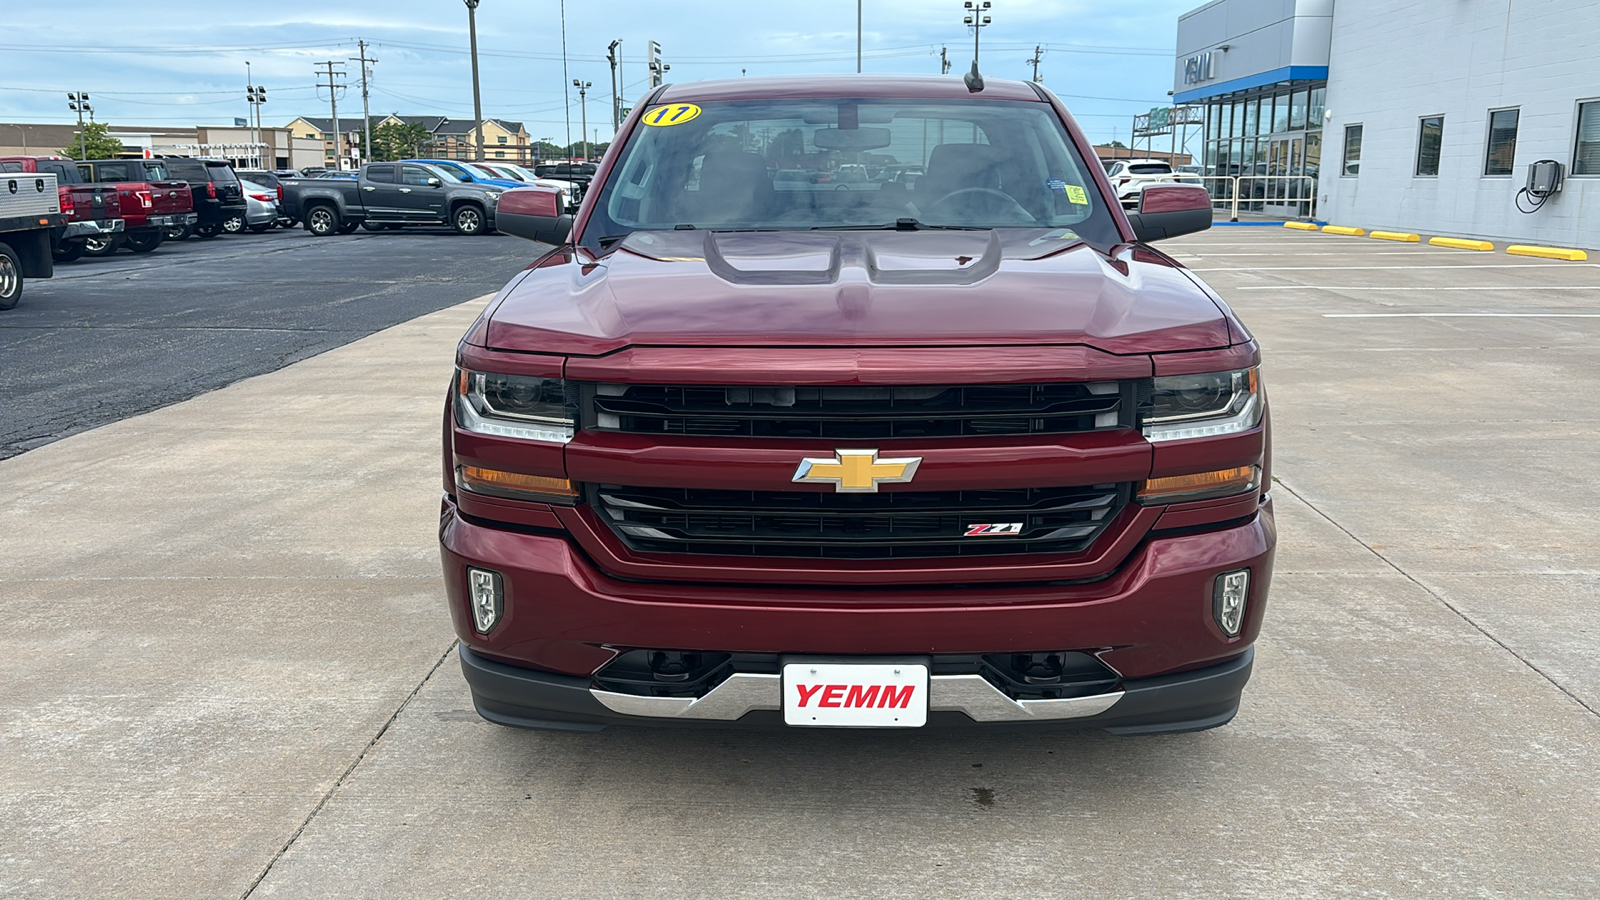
(516, 406)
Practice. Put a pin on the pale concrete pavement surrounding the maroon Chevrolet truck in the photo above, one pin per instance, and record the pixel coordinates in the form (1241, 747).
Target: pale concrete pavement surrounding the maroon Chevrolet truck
(230, 673)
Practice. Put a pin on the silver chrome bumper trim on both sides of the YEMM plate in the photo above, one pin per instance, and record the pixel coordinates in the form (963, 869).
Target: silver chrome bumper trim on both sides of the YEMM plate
(970, 694)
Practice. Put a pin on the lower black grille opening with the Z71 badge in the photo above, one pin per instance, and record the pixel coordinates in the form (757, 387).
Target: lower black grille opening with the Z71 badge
(858, 526)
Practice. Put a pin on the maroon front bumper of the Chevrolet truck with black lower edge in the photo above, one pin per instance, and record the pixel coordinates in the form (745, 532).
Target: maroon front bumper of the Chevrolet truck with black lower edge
(564, 619)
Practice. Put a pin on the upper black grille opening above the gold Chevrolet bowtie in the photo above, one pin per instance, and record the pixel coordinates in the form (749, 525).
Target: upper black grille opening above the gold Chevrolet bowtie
(871, 412)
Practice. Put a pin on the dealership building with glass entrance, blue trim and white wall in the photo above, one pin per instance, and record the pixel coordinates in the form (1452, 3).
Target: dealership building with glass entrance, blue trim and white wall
(1436, 118)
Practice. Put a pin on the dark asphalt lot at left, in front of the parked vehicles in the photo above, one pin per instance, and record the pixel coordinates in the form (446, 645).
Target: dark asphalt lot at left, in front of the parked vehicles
(110, 339)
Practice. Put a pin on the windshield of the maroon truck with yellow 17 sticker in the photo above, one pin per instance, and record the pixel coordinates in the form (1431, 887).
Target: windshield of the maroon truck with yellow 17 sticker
(815, 164)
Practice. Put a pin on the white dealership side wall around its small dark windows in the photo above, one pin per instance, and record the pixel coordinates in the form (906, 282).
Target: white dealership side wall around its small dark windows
(1394, 63)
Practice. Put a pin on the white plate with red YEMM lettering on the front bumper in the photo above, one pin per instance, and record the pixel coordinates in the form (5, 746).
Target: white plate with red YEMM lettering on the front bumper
(857, 696)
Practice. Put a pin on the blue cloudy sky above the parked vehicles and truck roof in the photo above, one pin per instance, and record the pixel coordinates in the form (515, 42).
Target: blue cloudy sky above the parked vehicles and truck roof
(188, 65)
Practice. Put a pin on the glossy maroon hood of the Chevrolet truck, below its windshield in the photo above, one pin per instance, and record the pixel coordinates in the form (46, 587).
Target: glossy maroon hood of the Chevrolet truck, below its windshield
(855, 289)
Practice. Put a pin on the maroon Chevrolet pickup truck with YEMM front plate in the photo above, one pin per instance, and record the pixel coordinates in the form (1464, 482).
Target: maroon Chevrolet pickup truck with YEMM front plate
(780, 452)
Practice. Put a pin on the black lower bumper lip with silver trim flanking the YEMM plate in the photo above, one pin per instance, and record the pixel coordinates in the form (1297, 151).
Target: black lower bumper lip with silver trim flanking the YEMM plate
(527, 699)
